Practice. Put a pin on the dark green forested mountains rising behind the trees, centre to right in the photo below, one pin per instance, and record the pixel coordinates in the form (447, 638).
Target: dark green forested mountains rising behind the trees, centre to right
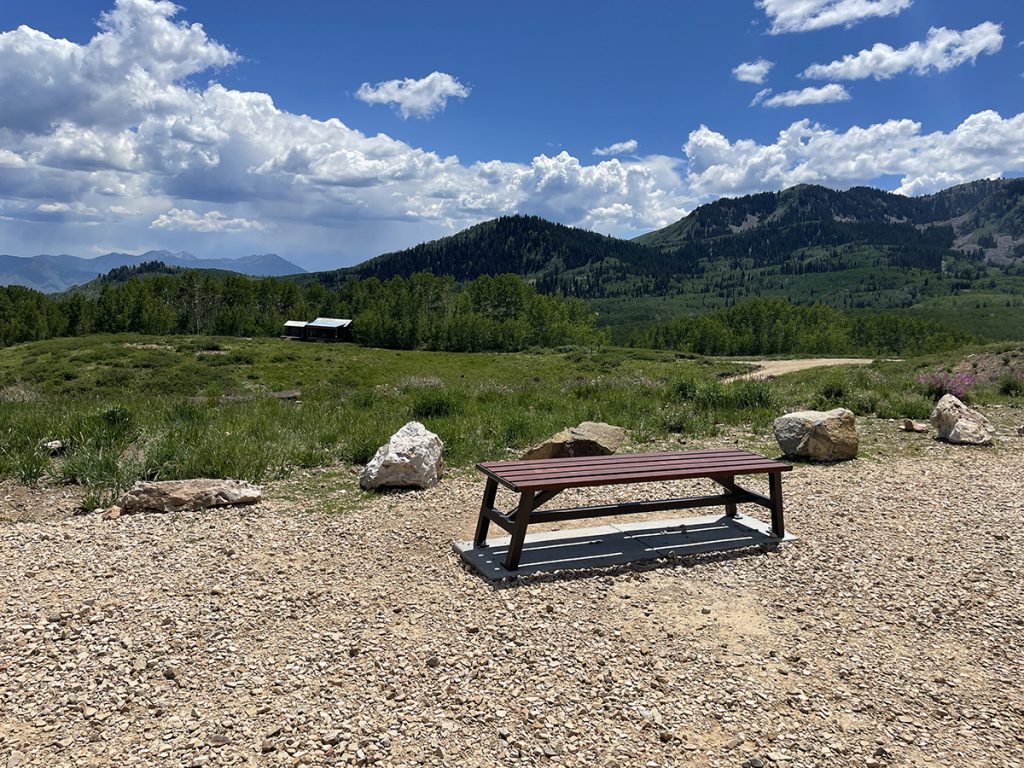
(854, 249)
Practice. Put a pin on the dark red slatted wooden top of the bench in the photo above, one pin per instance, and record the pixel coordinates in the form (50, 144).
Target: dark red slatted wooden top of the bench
(556, 475)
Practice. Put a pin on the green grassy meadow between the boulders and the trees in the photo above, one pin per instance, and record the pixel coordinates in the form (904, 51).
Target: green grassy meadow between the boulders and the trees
(166, 408)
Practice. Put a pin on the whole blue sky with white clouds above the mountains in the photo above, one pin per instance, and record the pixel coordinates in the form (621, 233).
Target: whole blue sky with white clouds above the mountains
(332, 132)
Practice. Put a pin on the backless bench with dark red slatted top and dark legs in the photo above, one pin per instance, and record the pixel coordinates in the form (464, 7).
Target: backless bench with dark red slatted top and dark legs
(540, 482)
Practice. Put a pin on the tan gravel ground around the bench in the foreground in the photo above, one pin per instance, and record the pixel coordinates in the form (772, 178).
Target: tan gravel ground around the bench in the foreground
(891, 634)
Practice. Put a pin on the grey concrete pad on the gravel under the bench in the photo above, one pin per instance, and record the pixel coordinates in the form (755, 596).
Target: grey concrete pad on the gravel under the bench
(621, 544)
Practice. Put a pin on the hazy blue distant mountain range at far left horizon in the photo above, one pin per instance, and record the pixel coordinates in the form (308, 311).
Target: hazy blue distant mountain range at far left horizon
(56, 274)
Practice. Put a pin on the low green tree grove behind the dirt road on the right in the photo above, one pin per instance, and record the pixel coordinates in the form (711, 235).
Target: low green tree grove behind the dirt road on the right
(777, 327)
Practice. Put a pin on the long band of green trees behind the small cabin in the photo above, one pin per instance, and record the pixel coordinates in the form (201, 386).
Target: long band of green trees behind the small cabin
(422, 312)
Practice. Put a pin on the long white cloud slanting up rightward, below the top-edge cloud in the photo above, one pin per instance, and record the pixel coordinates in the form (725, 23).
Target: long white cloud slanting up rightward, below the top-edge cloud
(943, 51)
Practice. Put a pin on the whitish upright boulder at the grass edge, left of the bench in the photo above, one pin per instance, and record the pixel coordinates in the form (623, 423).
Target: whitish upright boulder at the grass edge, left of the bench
(411, 459)
